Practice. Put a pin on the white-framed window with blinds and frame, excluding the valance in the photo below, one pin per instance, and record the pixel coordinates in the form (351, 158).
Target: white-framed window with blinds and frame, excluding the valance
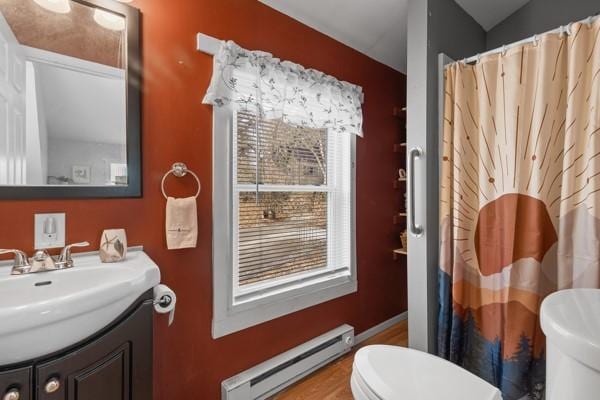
(289, 243)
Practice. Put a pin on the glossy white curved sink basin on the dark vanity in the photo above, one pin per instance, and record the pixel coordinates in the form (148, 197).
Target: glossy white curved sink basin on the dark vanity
(45, 312)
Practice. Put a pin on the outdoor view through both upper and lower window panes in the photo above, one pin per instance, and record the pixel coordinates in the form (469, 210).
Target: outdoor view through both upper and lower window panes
(282, 196)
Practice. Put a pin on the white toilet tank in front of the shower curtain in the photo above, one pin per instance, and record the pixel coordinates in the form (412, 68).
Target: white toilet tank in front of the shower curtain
(571, 321)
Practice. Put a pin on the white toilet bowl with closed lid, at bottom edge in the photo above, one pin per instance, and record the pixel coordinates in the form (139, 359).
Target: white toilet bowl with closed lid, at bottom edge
(382, 372)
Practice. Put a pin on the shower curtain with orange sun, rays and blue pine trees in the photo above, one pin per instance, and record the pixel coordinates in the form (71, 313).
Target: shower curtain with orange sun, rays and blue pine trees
(520, 201)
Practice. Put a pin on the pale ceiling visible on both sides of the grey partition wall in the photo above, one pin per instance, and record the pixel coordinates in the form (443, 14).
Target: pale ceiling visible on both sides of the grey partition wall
(377, 28)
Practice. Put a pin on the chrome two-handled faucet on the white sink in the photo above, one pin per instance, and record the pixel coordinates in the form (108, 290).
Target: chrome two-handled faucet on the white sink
(41, 260)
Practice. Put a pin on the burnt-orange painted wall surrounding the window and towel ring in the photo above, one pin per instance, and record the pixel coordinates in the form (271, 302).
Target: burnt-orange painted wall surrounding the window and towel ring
(177, 127)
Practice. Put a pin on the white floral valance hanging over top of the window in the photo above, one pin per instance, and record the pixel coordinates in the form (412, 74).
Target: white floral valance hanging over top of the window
(255, 81)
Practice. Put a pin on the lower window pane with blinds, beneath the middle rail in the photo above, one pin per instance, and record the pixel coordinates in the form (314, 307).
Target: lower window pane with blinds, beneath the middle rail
(281, 234)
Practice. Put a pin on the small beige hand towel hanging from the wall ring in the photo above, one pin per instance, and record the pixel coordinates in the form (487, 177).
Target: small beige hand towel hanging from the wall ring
(181, 223)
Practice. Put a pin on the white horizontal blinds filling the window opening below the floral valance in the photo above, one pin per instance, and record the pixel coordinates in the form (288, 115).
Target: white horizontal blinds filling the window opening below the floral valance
(291, 200)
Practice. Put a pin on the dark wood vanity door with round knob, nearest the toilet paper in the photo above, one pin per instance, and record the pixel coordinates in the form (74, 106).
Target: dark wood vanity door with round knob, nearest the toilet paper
(116, 366)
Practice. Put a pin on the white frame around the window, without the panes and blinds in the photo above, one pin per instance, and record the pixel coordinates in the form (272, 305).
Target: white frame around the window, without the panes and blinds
(232, 314)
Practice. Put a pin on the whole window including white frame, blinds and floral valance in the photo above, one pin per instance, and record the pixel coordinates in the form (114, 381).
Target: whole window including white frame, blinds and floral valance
(283, 195)
